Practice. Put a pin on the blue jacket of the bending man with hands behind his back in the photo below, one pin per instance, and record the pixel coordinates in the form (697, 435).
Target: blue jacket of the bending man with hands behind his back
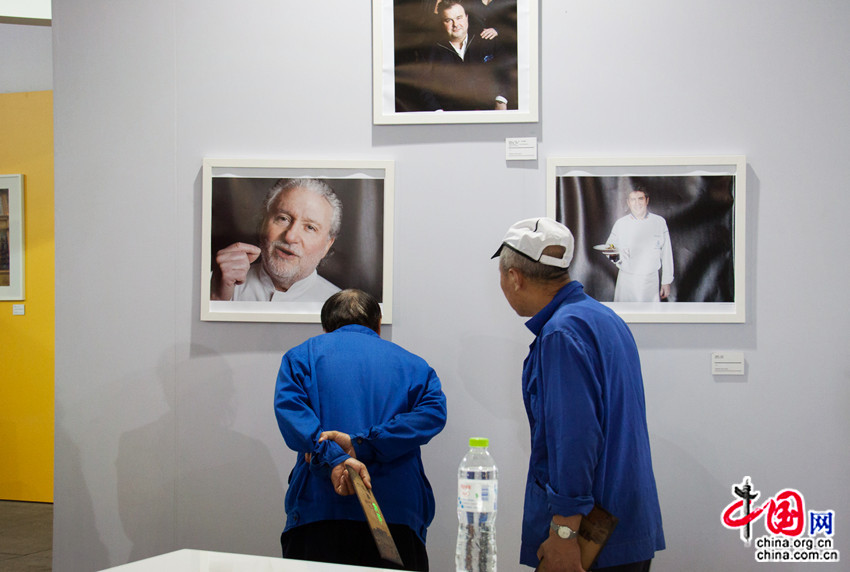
(389, 401)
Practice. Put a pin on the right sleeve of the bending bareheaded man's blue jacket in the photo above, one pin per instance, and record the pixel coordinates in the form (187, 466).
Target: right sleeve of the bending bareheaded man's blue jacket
(405, 432)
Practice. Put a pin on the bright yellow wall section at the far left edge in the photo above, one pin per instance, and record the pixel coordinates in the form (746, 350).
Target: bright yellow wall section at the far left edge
(27, 342)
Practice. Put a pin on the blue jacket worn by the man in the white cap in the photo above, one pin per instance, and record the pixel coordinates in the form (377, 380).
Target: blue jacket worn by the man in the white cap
(583, 395)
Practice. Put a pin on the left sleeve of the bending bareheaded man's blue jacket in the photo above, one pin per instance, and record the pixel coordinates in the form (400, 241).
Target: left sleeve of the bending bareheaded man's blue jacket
(298, 422)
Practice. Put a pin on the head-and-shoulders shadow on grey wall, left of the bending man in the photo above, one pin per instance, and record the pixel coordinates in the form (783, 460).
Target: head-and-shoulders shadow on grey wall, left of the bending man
(208, 488)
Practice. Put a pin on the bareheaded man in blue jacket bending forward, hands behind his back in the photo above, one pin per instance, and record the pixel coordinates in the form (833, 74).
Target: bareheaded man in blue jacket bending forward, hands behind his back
(348, 397)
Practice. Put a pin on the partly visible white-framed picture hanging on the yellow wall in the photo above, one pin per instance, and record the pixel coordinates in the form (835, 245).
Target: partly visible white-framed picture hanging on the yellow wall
(11, 237)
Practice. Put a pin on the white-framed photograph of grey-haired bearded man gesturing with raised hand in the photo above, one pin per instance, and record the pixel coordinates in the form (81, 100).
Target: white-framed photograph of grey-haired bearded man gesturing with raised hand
(279, 237)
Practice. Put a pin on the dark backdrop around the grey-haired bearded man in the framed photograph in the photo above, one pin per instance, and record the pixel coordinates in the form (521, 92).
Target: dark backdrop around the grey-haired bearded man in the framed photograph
(356, 258)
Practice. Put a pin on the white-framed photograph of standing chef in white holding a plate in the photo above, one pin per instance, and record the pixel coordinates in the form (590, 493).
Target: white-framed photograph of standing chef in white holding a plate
(657, 239)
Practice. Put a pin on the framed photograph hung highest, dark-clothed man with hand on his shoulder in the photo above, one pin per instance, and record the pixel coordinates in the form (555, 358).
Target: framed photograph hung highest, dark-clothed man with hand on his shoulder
(446, 61)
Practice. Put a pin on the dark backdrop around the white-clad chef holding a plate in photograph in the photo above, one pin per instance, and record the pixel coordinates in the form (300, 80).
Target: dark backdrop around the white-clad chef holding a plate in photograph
(699, 213)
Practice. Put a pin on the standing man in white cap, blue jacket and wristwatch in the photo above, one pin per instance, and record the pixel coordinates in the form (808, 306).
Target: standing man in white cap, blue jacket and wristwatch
(583, 394)
